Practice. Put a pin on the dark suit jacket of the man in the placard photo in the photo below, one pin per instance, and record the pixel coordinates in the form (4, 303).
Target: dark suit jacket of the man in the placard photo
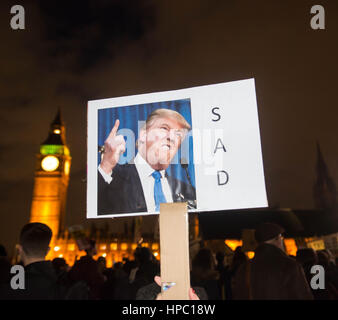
(125, 194)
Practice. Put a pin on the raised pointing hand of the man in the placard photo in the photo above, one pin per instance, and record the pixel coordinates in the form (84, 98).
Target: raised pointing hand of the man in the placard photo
(114, 146)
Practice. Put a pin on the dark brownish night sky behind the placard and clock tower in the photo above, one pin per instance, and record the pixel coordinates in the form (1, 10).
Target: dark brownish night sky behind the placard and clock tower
(75, 51)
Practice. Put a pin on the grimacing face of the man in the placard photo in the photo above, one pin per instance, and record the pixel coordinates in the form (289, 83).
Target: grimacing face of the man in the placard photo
(159, 142)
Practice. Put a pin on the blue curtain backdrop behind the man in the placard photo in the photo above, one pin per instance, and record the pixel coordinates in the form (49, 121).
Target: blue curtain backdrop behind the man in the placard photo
(129, 117)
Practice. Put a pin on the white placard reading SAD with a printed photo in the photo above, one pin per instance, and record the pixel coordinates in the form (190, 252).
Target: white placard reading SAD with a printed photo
(223, 151)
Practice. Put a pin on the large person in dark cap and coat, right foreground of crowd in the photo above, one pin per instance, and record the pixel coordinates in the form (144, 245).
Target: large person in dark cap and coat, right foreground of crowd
(271, 274)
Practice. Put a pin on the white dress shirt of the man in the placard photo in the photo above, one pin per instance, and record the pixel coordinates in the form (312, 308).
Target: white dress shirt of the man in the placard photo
(145, 171)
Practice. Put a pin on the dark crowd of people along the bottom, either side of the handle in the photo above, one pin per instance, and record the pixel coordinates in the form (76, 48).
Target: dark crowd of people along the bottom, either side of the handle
(271, 274)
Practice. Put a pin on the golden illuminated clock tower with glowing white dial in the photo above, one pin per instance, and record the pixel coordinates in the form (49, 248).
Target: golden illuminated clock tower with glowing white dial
(51, 179)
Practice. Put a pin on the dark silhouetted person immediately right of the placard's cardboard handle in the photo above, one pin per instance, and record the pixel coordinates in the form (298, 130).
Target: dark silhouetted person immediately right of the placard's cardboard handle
(205, 275)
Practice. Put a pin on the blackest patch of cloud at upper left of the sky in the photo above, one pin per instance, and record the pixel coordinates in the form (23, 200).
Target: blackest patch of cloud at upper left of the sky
(93, 30)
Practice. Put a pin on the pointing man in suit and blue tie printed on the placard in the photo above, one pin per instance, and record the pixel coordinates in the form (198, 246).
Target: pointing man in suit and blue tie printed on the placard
(143, 183)
